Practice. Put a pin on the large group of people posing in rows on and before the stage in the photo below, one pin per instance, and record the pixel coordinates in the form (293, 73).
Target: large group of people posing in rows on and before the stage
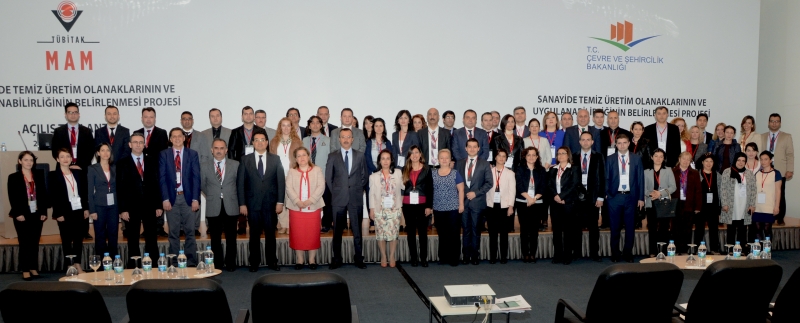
(314, 178)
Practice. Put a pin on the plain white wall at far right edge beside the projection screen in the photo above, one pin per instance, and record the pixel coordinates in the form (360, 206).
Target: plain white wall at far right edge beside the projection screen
(779, 76)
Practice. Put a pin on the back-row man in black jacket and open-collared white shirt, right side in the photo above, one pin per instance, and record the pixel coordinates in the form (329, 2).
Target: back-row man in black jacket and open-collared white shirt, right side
(665, 136)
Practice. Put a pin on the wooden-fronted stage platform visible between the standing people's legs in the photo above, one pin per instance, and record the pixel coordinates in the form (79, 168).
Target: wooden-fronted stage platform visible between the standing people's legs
(51, 257)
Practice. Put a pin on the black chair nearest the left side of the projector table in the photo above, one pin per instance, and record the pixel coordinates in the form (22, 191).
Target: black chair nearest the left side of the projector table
(313, 297)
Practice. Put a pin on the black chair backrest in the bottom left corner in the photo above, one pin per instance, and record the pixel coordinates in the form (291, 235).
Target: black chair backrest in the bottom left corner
(51, 302)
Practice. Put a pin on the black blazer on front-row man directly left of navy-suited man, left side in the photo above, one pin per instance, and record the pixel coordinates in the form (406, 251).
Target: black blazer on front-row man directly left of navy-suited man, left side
(138, 193)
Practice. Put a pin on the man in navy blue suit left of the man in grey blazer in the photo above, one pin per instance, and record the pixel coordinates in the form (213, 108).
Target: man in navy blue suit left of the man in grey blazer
(179, 177)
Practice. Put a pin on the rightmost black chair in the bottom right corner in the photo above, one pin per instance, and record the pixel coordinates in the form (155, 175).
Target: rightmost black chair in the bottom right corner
(733, 291)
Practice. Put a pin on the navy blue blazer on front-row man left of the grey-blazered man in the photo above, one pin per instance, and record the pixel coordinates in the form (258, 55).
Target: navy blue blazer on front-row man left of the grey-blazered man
(190, 175)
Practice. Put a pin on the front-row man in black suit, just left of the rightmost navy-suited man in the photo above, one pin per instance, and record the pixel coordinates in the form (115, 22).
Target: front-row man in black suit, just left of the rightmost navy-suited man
(592, 193)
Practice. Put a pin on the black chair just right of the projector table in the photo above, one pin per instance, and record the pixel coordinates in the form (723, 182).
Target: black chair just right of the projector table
(629, 293)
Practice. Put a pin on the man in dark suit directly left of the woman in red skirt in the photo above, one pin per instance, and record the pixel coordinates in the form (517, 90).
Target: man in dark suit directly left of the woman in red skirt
(261, 188)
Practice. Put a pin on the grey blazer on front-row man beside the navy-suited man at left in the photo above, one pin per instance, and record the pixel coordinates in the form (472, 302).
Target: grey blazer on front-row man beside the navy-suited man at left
(210, 185)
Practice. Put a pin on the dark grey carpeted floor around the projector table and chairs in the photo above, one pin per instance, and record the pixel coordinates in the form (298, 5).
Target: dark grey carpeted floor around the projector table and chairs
(385, 295)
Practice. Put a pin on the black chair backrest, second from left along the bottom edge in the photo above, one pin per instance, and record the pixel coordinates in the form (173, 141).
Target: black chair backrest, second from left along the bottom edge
(178, 300)
